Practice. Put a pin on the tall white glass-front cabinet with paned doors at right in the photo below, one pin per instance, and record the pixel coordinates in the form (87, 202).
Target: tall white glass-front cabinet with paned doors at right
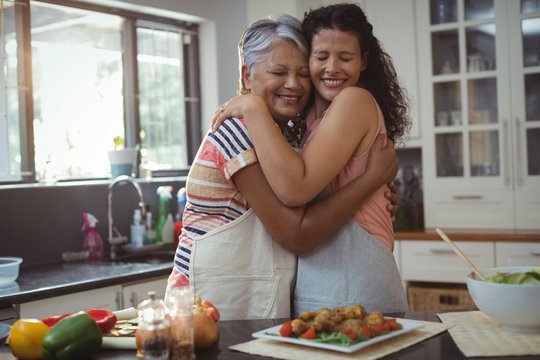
(480, 110)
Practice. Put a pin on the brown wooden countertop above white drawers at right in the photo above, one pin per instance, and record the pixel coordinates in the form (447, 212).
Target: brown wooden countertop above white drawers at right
(471, 235)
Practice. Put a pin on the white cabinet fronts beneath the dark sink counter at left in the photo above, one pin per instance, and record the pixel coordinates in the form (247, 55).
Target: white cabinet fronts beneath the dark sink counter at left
(111, 297)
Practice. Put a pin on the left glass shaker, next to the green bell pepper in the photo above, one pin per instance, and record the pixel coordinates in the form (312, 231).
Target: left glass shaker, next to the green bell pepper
(154, 328)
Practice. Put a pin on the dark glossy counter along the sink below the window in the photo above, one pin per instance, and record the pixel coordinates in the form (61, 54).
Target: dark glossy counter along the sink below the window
(45, 281)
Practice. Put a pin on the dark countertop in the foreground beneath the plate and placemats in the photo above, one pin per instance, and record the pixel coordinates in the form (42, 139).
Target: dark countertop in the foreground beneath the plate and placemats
(439, 347)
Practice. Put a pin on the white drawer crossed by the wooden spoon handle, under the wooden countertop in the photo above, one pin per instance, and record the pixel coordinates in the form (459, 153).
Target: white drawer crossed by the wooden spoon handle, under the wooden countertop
(434, 261)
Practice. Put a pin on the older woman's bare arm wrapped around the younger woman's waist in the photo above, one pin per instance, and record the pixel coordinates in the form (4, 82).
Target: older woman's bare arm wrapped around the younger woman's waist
(301, 229)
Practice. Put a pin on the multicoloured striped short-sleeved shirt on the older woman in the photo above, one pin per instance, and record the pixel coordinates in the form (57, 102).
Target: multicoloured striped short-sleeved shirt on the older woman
(212, 198)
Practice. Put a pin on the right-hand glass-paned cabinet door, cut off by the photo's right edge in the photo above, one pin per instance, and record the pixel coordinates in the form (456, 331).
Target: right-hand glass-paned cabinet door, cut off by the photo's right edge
(524, 129)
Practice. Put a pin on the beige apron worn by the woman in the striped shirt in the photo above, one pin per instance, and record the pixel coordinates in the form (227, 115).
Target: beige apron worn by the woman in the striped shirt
(243, 271)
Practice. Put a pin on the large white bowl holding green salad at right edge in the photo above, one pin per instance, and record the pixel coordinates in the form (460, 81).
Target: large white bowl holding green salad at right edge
(515, 306)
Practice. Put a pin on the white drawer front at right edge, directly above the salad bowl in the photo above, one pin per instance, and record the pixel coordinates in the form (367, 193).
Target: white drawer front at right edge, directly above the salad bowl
(517, 254)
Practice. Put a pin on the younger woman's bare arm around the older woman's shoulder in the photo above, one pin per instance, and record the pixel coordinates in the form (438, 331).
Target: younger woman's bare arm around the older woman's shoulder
(349, 126)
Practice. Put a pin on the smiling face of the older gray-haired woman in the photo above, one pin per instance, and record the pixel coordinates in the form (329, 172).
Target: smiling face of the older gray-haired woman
(281, 78)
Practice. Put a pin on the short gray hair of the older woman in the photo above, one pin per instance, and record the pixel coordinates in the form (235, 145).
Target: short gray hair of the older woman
(258, 38)
